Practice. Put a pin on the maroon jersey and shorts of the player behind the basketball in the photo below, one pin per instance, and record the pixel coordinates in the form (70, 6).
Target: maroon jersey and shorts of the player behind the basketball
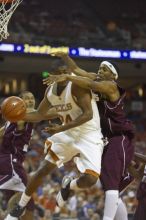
(13, 148)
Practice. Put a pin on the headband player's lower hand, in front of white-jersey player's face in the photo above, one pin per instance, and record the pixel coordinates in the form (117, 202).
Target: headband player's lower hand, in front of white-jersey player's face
(55, 78)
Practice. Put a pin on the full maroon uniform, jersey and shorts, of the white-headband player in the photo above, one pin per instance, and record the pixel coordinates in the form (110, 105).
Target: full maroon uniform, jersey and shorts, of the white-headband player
(119, 151)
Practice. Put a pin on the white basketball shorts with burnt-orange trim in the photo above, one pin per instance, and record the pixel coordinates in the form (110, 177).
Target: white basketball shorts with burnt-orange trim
(64, 146)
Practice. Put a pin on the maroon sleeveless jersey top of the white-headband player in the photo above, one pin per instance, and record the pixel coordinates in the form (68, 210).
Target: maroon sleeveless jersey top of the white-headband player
(113, 119)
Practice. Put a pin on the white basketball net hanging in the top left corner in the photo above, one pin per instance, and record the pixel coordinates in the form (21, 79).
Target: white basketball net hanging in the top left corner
(7, 8)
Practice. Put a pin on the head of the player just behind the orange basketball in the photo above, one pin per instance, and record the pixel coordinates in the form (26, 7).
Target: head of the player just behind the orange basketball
(29, 100)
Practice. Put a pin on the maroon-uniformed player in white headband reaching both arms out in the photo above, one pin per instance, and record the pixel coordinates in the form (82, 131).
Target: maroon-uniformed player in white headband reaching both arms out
(115, 126)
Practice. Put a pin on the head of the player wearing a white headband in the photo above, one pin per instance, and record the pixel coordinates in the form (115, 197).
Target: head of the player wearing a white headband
(108, 71)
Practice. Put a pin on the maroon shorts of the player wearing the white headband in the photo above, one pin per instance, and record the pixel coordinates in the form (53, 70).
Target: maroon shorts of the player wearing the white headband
(116, 158)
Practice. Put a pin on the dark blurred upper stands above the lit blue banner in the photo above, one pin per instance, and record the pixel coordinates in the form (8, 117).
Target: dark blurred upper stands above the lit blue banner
(80, 23)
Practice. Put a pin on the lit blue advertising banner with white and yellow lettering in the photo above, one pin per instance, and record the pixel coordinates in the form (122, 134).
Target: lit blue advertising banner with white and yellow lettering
(74, 52)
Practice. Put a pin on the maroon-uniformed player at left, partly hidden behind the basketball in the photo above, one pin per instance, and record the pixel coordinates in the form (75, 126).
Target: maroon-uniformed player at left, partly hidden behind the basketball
(15, 138)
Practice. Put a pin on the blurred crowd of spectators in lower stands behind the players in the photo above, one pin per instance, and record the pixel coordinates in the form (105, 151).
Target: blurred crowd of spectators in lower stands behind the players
(88, 204)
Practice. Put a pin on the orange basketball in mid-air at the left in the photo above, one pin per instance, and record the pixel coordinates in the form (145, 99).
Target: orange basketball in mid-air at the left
(13, 109)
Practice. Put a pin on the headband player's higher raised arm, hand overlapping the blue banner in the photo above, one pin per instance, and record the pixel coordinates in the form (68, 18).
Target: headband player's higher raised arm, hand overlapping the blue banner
(73, 66)
